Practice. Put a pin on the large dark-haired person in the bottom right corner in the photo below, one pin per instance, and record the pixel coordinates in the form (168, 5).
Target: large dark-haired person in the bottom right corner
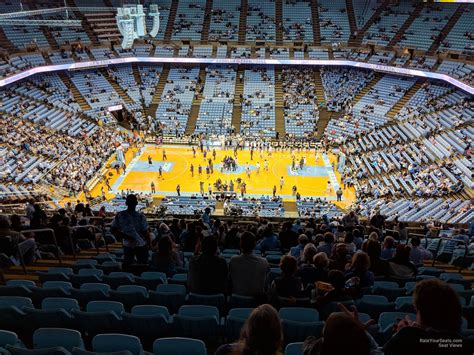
(437, 324)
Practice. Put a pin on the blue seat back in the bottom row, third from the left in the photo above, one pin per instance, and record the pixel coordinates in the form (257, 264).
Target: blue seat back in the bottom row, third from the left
(117, 342)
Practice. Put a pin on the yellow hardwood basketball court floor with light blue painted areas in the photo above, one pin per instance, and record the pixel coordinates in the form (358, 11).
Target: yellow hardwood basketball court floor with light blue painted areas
(311, 181)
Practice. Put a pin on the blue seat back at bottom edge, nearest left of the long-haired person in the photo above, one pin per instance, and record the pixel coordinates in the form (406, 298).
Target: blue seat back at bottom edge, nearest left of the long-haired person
(179, 346)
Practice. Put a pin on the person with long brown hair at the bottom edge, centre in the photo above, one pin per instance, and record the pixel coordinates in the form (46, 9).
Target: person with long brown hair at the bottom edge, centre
(261, 334)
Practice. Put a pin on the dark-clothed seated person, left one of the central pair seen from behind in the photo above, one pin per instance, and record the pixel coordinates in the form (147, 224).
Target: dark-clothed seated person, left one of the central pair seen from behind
(207, 272)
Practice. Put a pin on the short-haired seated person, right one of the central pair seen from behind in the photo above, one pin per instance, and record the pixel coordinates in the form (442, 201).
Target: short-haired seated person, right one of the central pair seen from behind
(246, 264)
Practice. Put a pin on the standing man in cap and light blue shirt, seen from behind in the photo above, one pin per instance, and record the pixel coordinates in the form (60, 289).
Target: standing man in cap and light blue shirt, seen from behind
(131, 227)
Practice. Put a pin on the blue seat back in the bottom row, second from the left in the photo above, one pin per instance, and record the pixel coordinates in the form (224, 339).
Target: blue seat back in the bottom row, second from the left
(52, 337)
